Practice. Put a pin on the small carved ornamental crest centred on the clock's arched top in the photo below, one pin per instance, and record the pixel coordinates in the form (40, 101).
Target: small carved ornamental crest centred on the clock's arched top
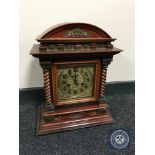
(77, 32)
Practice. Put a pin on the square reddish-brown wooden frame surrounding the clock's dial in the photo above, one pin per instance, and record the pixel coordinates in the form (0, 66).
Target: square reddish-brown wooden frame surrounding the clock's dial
(95, 96)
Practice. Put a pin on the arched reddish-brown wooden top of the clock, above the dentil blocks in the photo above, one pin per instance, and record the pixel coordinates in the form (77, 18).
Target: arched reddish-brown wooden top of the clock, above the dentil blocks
(73, 32)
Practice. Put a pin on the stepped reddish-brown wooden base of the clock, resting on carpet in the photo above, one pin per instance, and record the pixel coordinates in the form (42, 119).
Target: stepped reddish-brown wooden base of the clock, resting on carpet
(61, 121)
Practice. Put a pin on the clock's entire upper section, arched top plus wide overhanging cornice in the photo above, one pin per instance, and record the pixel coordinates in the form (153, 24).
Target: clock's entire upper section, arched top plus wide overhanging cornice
(74, 40)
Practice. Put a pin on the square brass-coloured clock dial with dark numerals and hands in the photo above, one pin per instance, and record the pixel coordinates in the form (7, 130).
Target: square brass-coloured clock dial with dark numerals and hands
(75, 82)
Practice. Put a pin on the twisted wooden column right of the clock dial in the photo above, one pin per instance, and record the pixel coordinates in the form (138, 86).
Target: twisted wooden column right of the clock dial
(104, 66)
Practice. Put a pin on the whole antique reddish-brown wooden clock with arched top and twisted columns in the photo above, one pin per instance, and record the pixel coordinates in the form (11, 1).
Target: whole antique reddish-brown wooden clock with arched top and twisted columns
(74, 58)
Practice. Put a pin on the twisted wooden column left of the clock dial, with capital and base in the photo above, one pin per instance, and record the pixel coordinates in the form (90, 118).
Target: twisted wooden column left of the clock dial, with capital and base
(46, 66)
